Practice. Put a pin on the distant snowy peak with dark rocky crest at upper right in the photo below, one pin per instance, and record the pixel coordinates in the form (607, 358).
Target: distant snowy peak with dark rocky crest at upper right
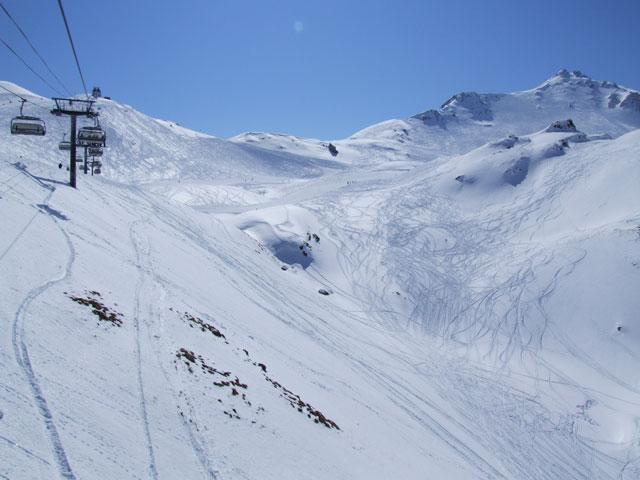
(468, 120)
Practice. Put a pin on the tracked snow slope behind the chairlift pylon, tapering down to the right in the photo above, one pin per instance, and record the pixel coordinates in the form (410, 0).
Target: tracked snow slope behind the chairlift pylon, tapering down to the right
(142, 149)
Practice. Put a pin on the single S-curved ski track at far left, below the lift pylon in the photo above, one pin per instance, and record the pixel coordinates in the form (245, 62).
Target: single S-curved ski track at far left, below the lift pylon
(21, 353)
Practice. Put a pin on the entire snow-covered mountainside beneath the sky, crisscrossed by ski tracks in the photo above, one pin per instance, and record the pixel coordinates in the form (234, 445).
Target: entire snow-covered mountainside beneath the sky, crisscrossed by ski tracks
(453, 295)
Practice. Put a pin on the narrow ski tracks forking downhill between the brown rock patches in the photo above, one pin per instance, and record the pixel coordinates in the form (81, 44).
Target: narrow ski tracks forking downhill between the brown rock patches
(145, 267)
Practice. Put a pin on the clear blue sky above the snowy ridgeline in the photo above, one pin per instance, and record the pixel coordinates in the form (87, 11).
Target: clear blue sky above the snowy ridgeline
(322, 69)
